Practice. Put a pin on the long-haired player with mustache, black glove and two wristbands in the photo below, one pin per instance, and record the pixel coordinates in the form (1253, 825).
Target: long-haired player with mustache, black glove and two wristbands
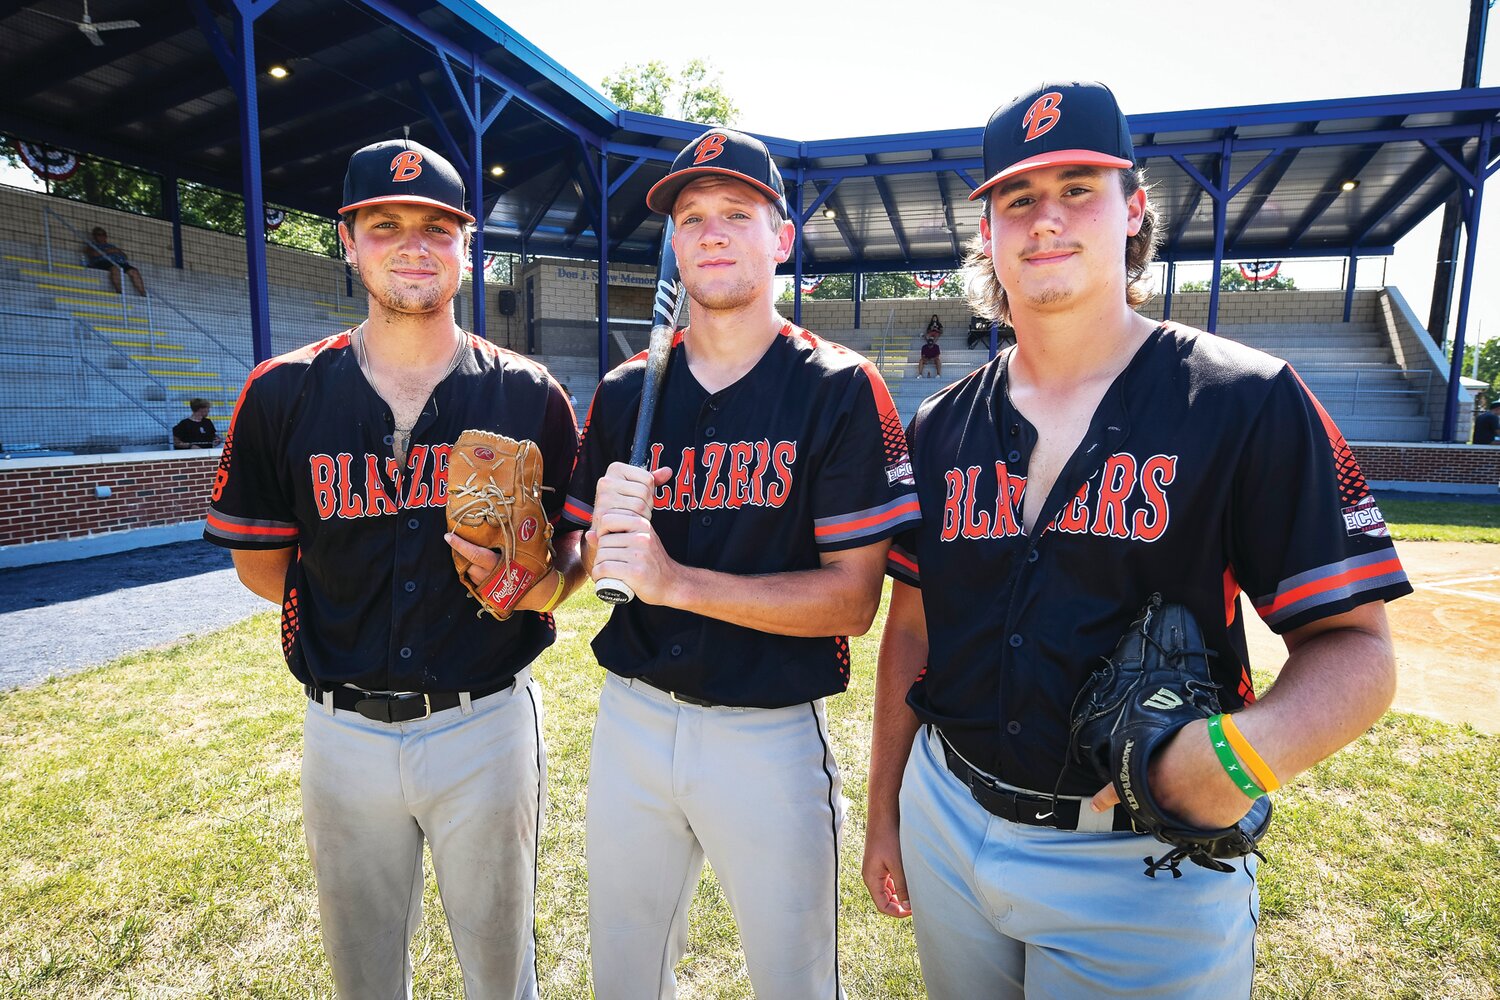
(1099, 461)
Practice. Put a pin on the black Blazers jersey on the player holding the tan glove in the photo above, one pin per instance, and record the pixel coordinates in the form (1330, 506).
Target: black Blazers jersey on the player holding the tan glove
(373, 597)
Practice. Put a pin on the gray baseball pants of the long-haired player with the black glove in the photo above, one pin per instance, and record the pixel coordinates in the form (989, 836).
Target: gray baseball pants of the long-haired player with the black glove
(1006, 911)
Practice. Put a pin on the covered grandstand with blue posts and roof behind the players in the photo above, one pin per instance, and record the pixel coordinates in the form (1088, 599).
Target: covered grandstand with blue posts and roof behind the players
(559, 176)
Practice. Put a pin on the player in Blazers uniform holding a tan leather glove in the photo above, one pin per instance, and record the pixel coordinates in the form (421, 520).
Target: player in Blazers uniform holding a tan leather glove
(422, 720)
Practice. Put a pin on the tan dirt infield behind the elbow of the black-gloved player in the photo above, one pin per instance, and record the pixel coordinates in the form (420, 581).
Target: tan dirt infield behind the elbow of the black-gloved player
(1447, 635)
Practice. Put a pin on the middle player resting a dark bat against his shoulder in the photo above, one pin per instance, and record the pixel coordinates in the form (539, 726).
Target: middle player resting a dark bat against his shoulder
(755, 545)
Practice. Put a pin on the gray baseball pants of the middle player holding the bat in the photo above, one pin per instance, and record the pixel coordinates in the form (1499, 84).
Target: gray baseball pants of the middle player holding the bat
(760, 794)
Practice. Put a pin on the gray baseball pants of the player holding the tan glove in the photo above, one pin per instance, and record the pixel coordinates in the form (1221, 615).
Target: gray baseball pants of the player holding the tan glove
(472, 782)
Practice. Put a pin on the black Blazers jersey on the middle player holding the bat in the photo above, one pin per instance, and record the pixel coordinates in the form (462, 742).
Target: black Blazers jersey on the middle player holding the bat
(803, 455)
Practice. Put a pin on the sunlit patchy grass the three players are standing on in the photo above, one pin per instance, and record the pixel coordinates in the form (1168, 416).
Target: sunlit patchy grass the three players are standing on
(151, 846)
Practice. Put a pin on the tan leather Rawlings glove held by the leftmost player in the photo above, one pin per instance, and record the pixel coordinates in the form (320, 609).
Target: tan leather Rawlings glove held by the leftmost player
(496, 501)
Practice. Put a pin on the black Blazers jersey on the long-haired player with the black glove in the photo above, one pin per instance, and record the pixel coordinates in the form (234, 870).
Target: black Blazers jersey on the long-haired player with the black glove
(1208, 470)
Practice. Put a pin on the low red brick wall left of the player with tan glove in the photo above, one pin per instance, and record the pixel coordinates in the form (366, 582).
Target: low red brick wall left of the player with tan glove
(49, 500)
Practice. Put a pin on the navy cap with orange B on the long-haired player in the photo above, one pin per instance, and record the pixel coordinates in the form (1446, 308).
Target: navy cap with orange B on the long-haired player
(1055, 125)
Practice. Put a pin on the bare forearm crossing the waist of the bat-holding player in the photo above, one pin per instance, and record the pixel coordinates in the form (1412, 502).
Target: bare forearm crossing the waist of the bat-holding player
(832, 600)
